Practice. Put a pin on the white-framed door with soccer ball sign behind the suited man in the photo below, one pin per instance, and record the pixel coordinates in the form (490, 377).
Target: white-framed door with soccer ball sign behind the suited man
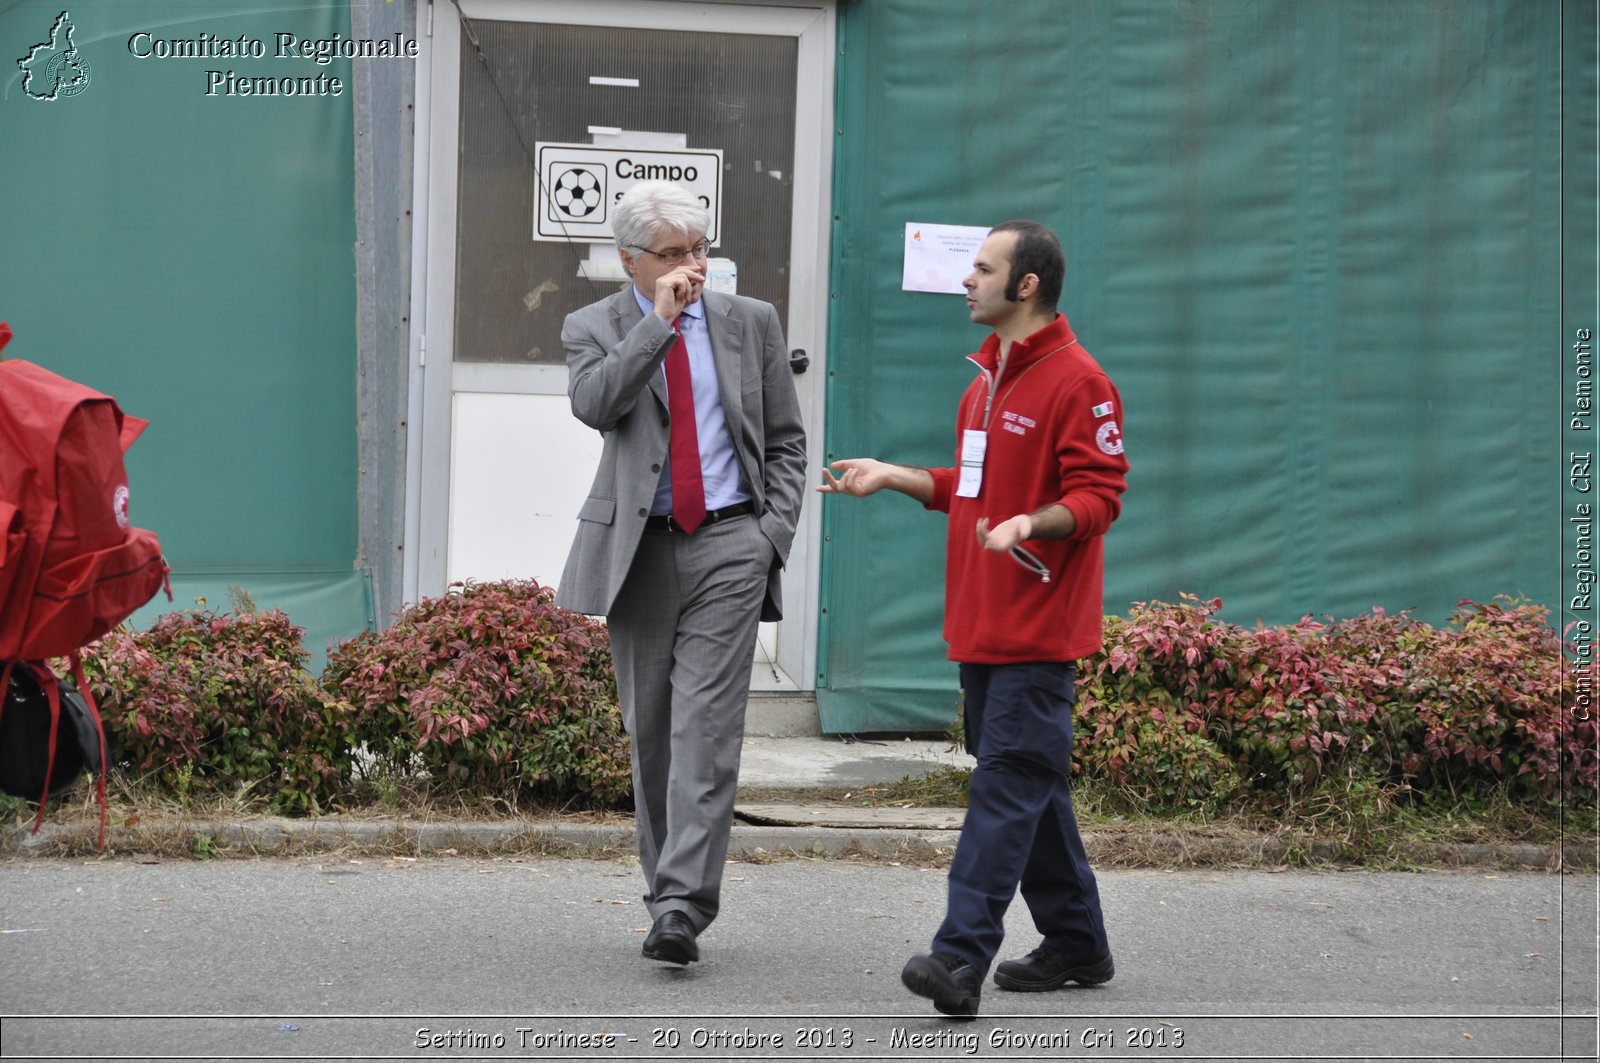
(498, 465)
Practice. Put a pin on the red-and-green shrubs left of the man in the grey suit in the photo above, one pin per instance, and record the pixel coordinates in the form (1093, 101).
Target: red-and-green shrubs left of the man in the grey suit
(486, 692)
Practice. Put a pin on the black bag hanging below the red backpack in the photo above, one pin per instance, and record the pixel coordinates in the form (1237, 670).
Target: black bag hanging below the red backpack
(25, 739)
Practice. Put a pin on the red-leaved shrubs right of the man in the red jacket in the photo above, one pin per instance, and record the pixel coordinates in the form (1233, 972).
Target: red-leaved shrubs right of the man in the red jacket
(1468, 708)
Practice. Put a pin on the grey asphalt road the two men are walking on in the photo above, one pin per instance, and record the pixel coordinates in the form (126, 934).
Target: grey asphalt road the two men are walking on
(455, 958)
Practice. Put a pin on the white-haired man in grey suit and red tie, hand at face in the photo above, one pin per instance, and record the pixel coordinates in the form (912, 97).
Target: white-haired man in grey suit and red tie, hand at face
(684, 534)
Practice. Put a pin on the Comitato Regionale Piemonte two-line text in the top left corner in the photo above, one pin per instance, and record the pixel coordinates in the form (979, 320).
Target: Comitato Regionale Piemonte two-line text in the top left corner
(319, 52)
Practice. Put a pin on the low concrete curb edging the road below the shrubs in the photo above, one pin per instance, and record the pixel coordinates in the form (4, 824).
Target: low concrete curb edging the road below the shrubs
(287, 838)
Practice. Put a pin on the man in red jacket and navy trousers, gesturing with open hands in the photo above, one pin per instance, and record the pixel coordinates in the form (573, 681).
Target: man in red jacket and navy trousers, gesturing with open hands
(1039, 478)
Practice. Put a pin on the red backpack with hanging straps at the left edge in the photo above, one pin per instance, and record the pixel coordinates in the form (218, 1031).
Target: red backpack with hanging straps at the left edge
(71, 568)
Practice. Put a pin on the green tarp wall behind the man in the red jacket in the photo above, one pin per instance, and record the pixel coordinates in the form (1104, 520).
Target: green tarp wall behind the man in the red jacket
(1318, 247)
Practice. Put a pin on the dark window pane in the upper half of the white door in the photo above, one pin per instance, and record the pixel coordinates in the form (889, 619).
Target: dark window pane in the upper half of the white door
(606, 86)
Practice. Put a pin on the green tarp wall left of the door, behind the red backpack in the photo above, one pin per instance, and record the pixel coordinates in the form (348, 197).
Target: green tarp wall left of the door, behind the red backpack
(194, 257)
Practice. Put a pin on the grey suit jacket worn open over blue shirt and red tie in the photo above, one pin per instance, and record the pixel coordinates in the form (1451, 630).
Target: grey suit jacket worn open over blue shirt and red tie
(615, 355)
